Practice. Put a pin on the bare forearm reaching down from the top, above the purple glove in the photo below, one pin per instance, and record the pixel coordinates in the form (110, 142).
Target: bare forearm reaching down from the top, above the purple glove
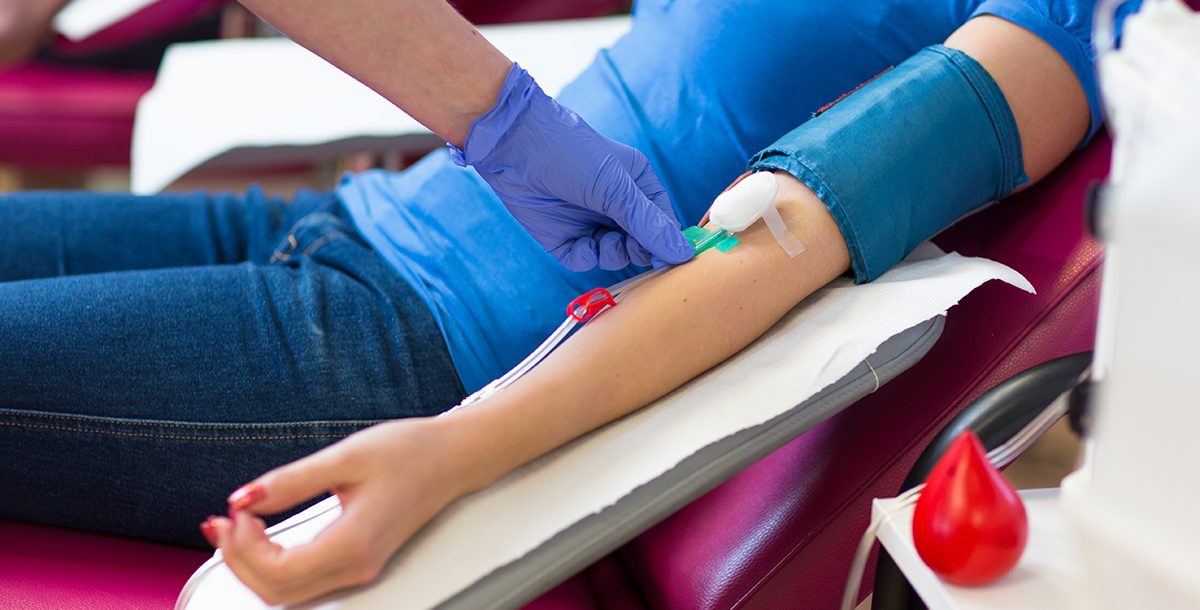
(421, 55)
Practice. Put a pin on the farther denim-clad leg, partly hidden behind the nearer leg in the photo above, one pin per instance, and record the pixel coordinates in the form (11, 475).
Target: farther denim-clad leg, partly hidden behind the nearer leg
(45, 235)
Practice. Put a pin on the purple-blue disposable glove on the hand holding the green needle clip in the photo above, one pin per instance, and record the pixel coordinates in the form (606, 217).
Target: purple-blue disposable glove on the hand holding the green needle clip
(587, 200)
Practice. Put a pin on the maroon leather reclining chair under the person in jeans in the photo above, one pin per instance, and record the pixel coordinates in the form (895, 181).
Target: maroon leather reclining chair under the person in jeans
(779, 535)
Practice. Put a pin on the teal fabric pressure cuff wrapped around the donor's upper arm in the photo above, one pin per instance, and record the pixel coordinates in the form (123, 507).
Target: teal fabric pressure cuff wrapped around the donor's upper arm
(907, 156)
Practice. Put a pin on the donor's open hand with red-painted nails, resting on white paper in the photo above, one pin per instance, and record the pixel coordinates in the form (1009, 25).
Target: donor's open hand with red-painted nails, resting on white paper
(391, 480)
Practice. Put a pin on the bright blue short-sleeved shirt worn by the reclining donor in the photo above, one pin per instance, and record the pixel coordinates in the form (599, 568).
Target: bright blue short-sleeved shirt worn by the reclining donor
(699, 88)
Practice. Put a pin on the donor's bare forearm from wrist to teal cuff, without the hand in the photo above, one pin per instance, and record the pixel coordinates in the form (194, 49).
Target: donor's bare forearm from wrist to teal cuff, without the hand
(662, 336)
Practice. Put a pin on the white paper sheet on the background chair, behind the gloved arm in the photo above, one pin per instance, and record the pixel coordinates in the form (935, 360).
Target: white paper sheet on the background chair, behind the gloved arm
(259, 100)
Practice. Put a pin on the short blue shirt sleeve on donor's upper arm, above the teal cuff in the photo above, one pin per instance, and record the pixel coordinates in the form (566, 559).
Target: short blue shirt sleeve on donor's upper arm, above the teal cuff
(1067, 27)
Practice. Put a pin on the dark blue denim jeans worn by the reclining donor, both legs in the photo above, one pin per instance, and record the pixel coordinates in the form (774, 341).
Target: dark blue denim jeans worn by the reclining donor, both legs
(158, 352)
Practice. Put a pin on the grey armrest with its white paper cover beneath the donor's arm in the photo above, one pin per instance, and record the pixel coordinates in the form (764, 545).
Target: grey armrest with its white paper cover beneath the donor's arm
(505, 546)
